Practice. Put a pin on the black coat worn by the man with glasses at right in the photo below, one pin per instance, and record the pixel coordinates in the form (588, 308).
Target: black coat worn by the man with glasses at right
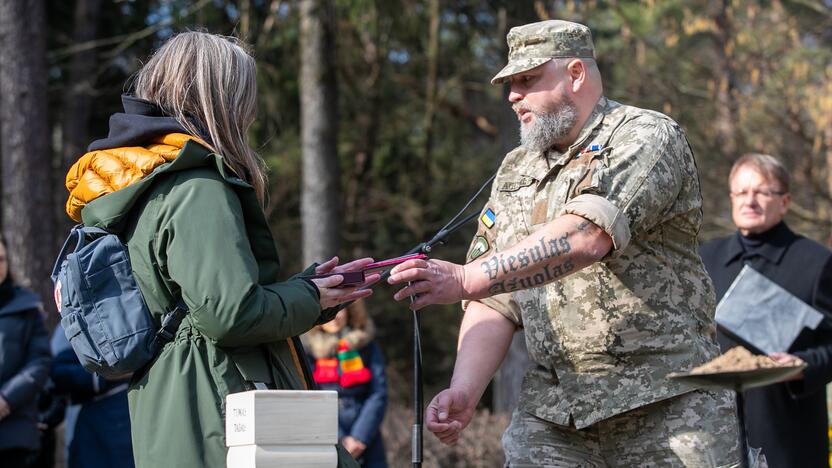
(788, 420)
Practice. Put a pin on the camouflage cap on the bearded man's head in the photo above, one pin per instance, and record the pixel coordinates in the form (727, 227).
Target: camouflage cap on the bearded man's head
(532, 45)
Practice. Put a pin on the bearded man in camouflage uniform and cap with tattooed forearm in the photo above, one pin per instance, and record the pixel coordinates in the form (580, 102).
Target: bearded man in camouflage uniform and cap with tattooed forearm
(588, 242)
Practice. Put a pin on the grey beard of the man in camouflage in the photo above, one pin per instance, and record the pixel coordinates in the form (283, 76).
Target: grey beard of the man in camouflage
(548, 128)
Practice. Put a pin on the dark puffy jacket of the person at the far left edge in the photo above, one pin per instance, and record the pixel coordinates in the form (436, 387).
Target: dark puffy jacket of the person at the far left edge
(24, 366)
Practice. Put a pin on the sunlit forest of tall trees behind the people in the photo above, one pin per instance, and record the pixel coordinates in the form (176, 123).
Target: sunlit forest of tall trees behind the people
(377, 121)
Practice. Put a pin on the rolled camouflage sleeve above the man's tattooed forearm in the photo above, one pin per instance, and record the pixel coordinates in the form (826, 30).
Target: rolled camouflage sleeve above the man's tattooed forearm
(640, 178)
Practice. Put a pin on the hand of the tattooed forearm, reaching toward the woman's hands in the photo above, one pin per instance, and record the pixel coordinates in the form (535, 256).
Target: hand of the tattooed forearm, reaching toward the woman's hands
(431, 282)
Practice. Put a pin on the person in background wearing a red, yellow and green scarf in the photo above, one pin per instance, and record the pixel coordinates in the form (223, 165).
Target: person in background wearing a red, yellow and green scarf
(345, 357)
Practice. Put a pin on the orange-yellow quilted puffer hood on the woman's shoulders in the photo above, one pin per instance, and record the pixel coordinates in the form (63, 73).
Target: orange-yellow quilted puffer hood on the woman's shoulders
(100, 172)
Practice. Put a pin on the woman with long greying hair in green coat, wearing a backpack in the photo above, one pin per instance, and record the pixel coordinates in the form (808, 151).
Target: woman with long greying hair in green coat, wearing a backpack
(178, 180)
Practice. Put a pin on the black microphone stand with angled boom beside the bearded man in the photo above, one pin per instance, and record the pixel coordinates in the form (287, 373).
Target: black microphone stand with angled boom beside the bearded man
(418, 399)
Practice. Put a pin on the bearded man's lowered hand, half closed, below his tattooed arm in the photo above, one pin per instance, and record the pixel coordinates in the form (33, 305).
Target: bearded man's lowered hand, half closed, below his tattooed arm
(448, 414)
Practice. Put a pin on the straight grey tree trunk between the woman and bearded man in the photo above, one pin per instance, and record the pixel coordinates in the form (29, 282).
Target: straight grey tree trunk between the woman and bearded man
(320, 213)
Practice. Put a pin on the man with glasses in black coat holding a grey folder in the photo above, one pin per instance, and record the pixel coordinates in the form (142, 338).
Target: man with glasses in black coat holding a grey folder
(789, 419)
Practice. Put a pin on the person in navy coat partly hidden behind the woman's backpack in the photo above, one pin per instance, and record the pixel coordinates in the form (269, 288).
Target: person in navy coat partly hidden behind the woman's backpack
(97, 422)
